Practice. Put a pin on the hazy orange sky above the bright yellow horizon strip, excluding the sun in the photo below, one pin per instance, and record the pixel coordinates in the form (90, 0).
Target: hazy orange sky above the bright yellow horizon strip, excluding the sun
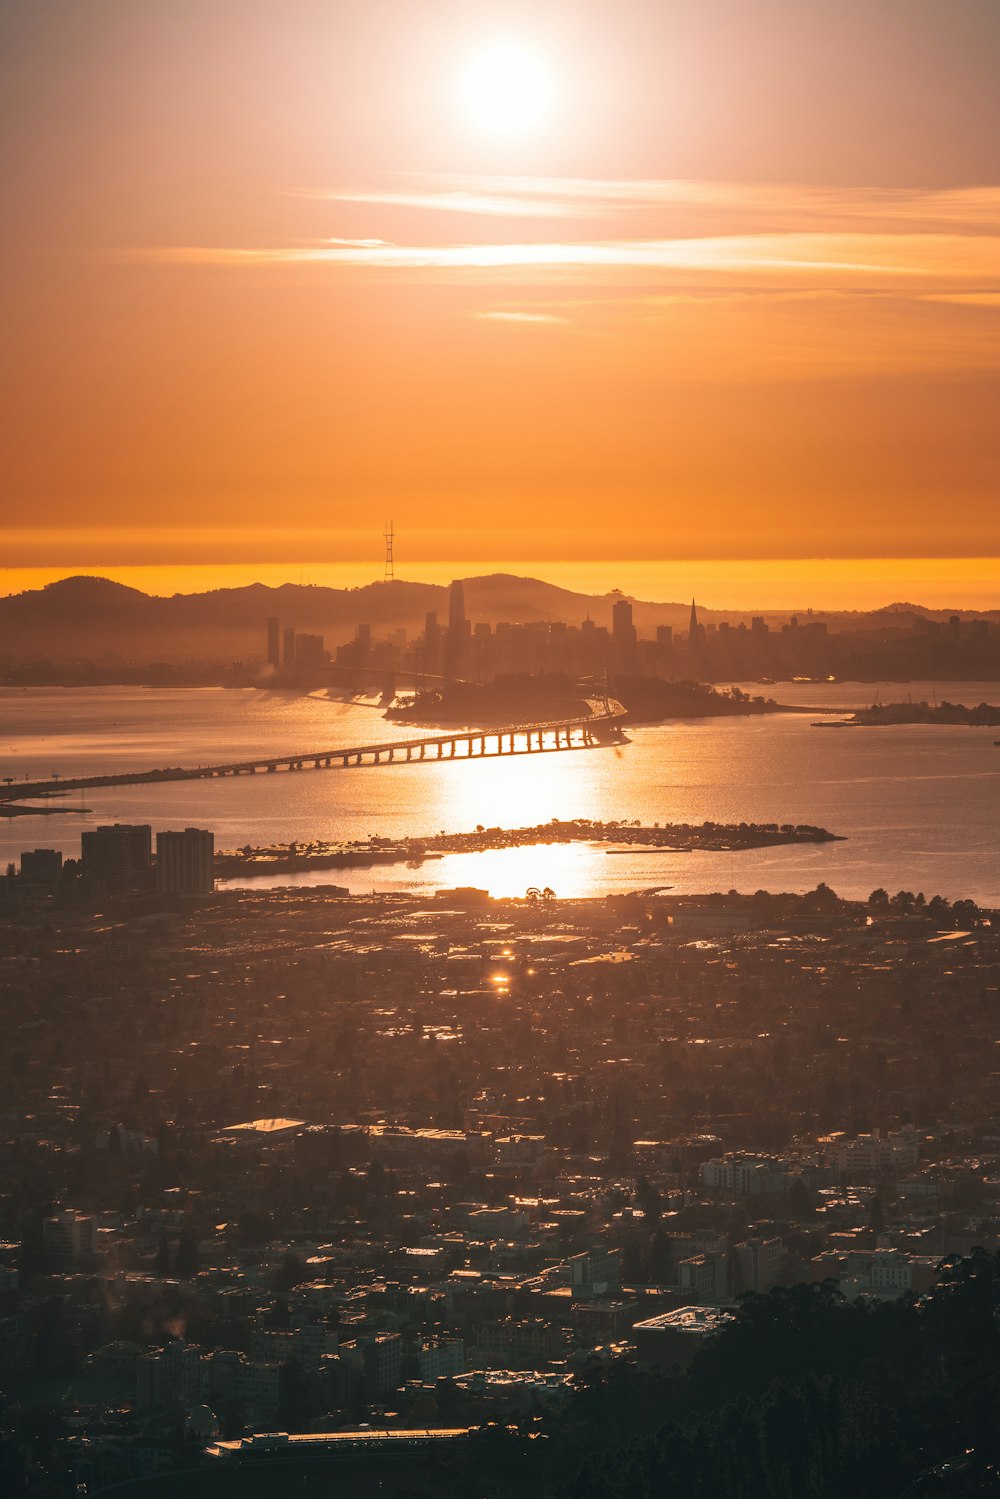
(269, 280)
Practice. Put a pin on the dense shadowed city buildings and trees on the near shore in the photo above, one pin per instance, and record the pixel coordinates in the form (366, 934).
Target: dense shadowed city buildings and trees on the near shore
(301, 1179)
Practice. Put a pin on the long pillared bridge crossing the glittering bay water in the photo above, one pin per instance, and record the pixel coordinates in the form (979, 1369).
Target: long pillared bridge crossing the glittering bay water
(590, 731)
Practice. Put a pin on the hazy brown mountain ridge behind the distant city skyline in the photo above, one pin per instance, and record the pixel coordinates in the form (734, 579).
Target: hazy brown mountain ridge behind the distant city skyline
(92, 618)
